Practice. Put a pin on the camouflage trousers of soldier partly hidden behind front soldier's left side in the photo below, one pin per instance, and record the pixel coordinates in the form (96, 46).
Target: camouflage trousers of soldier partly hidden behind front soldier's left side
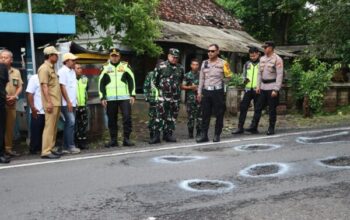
(155, 123)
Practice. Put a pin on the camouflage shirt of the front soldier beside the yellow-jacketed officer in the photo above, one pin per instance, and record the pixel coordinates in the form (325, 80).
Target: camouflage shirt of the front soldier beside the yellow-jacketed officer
(168, 79)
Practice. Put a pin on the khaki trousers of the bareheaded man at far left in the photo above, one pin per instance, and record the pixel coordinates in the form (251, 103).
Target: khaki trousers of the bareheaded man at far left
(10, 125)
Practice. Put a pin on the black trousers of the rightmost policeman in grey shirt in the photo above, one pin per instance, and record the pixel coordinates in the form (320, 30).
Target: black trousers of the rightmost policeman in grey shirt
(265, 99)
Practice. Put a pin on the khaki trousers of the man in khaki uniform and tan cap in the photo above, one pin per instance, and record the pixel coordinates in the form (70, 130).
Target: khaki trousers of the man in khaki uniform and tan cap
(50, 130)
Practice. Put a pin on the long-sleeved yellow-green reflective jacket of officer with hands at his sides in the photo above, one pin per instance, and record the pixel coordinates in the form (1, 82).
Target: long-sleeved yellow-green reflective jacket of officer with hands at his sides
(117, 88)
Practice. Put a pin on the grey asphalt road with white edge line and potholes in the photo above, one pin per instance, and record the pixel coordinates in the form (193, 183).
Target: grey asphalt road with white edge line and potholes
(134, 184)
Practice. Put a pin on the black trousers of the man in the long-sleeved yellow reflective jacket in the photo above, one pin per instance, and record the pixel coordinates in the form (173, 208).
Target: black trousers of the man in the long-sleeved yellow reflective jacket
(112, 114)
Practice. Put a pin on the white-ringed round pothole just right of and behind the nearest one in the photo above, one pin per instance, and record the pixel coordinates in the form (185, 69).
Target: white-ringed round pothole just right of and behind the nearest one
(264, 170)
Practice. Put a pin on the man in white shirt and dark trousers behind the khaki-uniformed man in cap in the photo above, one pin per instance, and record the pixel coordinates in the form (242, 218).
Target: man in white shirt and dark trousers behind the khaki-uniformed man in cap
(37, 122)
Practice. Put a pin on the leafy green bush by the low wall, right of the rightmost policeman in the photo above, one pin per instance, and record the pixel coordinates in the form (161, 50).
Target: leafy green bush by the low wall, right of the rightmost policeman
(311, 79)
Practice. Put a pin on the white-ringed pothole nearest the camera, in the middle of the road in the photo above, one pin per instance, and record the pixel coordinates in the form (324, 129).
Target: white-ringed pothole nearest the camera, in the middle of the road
(200, 185)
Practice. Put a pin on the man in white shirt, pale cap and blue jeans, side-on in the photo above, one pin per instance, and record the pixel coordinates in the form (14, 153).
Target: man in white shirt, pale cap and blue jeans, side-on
(68, 84)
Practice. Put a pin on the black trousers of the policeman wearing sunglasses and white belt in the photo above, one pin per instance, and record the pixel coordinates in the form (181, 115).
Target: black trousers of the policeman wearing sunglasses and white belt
(213, 101)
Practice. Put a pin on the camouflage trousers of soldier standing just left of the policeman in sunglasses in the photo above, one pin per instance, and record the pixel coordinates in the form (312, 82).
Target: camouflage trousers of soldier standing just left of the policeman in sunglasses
(194, 113)
